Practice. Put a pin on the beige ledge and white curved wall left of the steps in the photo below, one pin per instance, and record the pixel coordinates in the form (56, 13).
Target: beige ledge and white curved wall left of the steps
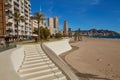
(10, 62)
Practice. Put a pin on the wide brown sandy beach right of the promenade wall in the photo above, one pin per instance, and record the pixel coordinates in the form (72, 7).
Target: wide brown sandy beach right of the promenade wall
(95, 59)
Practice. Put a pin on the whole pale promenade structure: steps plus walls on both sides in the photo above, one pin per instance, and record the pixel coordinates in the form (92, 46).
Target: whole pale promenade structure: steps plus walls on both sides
(36, 62)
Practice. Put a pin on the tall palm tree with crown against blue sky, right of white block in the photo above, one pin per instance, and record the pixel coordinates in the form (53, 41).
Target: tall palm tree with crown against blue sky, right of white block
(39, 16)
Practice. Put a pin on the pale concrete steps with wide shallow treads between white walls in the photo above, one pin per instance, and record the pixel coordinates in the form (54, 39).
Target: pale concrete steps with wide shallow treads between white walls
(38, 66)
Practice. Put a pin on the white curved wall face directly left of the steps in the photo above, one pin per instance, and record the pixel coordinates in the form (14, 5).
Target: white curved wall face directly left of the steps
(17, 57)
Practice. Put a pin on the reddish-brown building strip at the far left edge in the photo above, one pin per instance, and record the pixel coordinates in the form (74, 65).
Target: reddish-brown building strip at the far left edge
(2, 18)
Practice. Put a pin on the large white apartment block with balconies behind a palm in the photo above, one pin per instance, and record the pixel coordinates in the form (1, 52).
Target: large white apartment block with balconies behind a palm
(24, 8)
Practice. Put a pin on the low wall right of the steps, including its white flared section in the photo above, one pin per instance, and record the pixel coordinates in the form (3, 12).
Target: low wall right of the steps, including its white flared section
(53, 49)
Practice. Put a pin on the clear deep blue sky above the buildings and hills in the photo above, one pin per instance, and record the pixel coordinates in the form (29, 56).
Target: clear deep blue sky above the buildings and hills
(83, 14)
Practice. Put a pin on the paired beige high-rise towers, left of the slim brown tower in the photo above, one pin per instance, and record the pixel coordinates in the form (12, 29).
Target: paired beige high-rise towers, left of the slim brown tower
(53, 25)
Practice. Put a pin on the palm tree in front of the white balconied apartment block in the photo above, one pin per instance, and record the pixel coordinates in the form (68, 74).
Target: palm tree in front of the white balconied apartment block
(17, 17)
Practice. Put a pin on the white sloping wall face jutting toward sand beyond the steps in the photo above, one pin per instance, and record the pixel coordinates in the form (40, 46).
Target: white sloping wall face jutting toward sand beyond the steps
(59, 46)
